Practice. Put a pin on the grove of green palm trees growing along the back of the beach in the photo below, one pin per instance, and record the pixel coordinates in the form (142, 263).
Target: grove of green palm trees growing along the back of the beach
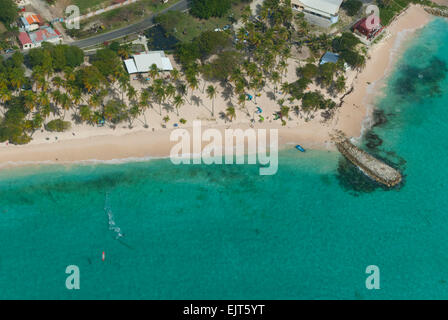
(255, 59)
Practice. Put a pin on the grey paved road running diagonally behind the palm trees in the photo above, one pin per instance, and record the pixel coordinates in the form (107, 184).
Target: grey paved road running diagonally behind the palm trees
(134, 28)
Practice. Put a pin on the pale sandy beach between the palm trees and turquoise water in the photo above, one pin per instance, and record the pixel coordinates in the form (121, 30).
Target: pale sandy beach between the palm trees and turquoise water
(87, 143)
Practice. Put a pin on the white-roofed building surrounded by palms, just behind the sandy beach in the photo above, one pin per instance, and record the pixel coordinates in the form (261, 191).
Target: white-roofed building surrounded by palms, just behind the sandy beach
(141, 63)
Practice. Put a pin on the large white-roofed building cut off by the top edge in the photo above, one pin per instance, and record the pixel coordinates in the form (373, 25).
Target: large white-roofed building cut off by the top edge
(326, 9)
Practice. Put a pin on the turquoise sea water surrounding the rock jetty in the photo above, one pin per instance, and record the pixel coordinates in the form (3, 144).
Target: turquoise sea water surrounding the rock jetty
(194, 232)
